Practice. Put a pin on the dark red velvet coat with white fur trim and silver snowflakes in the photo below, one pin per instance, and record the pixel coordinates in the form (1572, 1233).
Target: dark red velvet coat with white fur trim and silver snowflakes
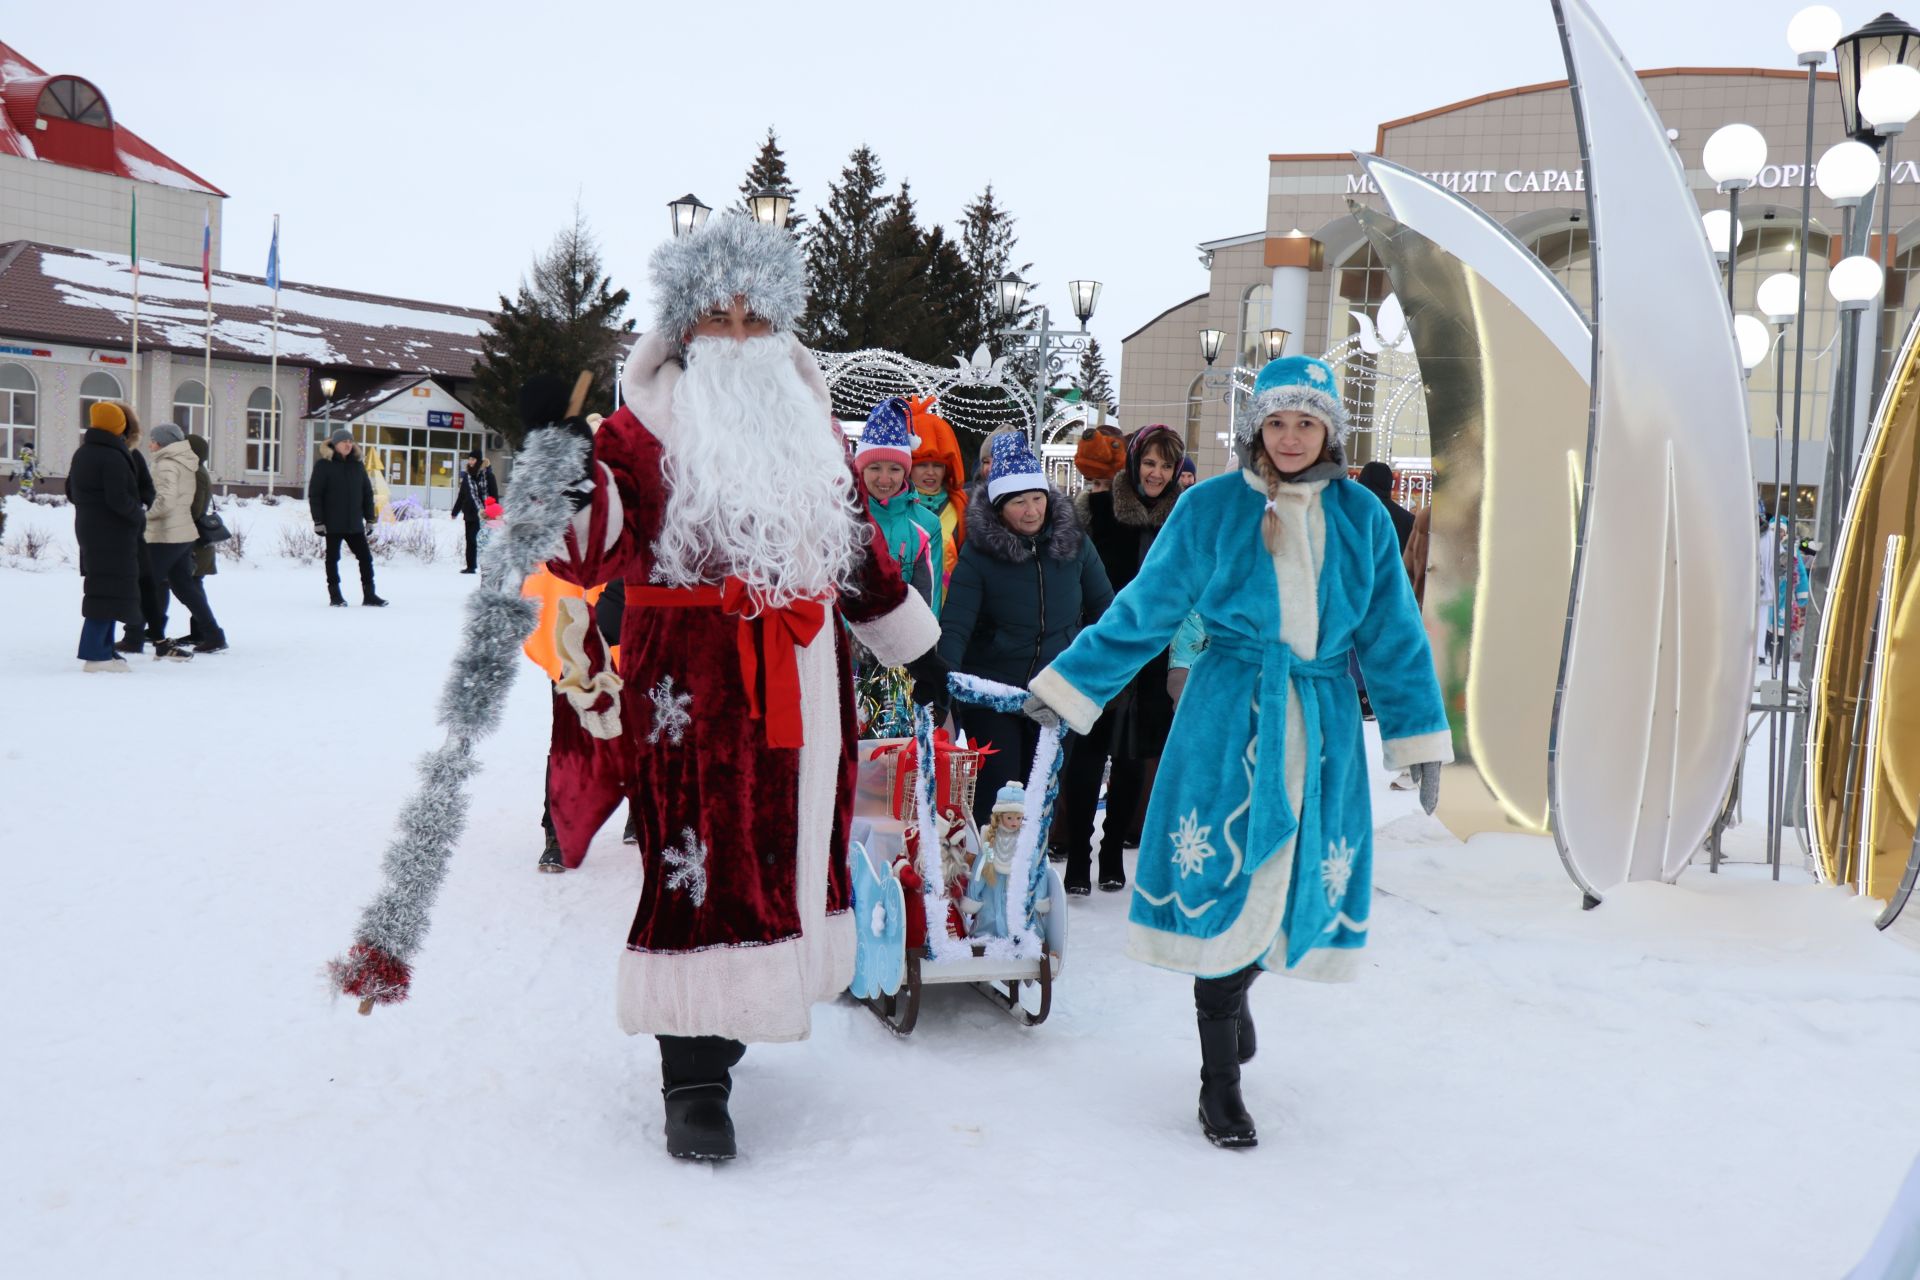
(744, 914)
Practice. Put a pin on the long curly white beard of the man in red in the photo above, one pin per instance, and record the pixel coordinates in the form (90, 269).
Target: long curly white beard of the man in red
(757, 479)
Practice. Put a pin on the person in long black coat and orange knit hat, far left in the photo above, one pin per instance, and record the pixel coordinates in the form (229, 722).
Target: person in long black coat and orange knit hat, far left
(108, 519)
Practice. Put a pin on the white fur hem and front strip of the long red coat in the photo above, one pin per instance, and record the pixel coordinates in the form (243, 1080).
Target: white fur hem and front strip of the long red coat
(765, 993)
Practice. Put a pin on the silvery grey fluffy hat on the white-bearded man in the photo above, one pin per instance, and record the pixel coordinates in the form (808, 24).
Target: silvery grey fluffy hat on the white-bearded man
(732, 256)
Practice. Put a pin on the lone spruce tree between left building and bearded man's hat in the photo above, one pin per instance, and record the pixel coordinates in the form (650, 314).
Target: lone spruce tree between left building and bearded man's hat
(565, 318)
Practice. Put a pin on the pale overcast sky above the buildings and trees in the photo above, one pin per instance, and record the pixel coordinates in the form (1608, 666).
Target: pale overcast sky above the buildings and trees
(429, 151)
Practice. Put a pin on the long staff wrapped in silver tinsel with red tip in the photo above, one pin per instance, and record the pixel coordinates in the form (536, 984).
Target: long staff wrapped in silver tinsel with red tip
(546, 473)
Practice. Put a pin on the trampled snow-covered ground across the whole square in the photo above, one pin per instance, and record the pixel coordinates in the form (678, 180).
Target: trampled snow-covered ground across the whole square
(1710, 1079)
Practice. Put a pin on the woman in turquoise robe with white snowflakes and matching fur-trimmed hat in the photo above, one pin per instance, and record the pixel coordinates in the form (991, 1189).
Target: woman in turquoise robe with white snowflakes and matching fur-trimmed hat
(1259, 845)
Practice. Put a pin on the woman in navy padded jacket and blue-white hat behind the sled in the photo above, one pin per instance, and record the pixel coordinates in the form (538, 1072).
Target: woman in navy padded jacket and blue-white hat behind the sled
(1024, 586)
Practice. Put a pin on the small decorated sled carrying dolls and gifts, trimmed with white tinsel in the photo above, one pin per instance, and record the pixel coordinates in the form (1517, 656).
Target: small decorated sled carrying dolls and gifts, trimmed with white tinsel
(940, 903)
